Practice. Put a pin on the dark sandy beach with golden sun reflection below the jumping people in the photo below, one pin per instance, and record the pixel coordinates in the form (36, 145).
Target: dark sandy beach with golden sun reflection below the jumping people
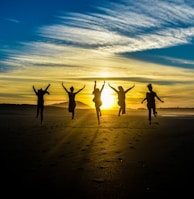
(123, 157)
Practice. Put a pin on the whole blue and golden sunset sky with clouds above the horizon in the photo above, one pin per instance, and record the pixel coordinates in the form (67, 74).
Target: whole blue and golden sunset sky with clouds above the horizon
(122, 42)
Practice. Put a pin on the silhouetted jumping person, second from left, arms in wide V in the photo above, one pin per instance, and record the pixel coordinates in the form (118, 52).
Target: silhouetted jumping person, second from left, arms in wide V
(72, 102)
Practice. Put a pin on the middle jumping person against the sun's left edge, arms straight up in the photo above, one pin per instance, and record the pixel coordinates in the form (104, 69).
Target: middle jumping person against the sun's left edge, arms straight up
(97, 100)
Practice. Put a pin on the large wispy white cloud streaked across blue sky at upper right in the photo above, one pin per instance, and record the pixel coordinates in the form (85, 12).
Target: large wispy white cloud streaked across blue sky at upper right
(134, 26)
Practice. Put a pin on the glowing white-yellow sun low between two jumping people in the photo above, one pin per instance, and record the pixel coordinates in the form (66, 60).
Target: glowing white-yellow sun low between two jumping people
(108, 100)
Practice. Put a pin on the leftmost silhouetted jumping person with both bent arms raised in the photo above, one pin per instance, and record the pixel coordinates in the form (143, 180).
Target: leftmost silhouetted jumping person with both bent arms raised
(40, 101)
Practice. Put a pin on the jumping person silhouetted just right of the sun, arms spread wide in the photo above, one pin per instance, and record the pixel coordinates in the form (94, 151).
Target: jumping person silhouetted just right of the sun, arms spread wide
(121, 97)
